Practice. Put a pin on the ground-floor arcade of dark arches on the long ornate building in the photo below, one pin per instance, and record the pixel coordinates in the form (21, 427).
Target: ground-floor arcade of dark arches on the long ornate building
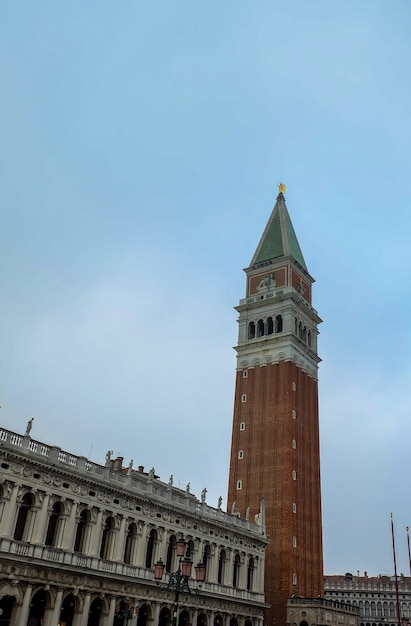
(26, 604)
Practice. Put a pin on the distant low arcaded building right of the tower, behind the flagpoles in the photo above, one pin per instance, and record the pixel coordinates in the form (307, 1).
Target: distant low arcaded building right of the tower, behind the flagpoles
(374, 596)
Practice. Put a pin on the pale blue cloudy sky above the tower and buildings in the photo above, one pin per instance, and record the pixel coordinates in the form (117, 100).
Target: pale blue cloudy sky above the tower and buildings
(141, 146)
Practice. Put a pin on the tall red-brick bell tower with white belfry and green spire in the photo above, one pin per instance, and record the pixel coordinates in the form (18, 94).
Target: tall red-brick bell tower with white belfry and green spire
(275, 440)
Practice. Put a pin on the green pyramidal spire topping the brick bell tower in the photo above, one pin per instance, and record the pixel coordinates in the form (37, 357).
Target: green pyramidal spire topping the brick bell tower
(279, 238)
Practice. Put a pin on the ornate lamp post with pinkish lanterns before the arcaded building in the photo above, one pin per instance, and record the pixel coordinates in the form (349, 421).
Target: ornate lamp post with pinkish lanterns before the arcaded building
(178, 581)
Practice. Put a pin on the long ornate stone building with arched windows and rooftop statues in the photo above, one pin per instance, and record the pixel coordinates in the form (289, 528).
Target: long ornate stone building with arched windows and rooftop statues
(78, 544)
